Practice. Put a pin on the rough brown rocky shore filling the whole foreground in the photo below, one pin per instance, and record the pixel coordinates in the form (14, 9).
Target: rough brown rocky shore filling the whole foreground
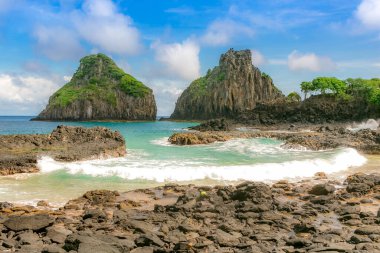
(316, 215)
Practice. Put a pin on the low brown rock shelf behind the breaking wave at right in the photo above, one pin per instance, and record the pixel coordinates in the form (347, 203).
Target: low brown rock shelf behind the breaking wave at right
(314, 138)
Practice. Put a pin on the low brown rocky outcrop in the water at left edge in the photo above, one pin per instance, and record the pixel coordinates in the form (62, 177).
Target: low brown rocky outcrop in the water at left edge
(19, 153)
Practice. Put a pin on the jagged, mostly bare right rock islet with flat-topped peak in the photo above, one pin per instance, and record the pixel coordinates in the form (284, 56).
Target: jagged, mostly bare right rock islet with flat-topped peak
(230, 88)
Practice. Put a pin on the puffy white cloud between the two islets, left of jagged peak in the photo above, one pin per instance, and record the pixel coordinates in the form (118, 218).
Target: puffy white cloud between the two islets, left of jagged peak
(180, 59)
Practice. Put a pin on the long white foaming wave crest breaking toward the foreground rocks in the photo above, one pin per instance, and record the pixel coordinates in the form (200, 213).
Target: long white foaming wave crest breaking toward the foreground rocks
(187, 170)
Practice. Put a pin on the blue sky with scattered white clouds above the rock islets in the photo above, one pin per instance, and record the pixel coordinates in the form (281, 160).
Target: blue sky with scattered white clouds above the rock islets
(166, 44)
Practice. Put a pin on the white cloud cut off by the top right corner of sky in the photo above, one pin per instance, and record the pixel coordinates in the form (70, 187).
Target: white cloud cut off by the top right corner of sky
(368, 13)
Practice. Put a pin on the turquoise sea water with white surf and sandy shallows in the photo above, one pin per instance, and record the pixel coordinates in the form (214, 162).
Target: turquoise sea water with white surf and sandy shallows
(151, 161)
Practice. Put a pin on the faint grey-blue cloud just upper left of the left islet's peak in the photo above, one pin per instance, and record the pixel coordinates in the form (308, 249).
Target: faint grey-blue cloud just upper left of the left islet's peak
(57, 43)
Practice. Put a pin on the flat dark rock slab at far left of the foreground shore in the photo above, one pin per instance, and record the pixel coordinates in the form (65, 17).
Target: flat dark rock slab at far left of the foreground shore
(32, 222)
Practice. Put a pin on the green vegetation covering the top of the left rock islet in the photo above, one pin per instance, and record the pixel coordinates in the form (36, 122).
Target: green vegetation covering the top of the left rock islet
(98, 77)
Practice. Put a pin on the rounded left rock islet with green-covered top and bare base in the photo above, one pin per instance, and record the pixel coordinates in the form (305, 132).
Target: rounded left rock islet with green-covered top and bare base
(100, 90)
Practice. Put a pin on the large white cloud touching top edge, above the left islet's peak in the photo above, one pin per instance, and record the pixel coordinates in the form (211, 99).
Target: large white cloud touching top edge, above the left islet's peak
(103, 26)
